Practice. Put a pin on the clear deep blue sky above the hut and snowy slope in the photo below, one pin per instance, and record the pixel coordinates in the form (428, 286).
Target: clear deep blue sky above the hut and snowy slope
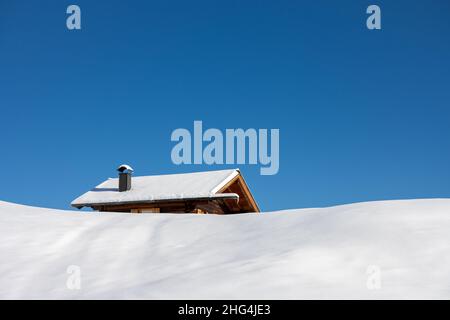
(363, 115)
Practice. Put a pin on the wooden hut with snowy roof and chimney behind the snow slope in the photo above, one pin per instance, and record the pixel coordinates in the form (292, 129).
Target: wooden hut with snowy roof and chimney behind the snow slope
(216, 192)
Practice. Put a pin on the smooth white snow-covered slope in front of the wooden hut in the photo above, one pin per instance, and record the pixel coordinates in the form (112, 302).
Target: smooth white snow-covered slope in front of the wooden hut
(404, 246)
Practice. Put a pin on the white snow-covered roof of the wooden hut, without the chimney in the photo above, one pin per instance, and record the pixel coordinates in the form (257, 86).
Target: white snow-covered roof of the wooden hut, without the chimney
(163, 187)
